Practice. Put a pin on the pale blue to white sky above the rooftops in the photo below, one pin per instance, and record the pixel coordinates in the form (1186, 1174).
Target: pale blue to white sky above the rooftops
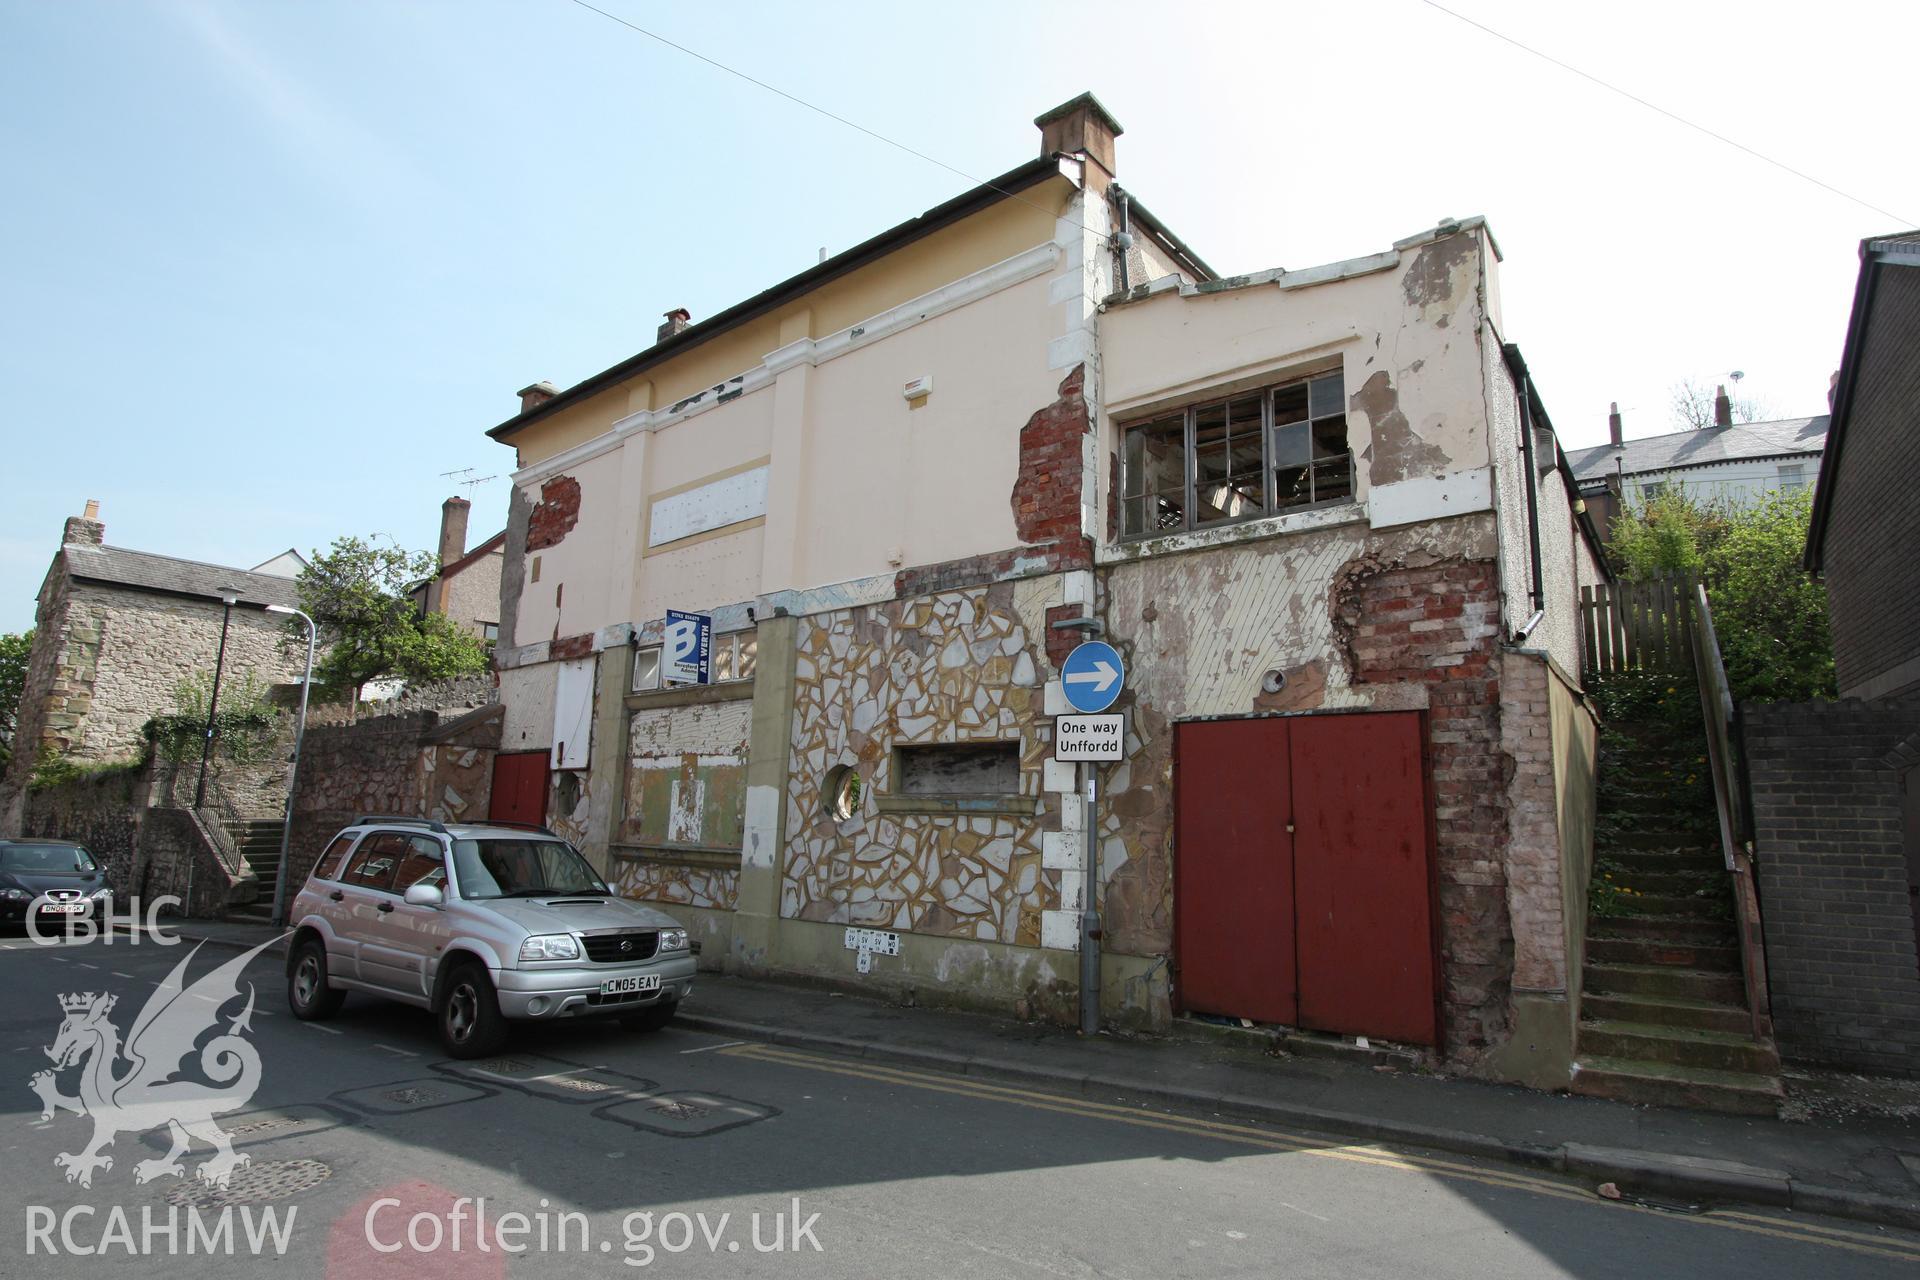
(274, 268)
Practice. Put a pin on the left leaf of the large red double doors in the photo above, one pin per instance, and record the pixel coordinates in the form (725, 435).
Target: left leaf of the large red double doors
(1234, 870)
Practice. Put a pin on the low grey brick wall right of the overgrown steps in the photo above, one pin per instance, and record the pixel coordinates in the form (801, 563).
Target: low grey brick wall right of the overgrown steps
(1833, 876)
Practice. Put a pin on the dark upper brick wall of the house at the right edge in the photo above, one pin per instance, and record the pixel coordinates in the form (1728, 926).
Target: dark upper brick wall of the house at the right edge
(1873, 577)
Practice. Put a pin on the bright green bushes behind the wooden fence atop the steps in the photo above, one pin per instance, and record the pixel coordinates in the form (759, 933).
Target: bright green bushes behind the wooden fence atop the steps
(1769, 615)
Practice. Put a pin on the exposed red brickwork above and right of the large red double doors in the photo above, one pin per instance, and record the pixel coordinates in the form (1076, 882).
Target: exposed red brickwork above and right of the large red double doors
(1437, 625)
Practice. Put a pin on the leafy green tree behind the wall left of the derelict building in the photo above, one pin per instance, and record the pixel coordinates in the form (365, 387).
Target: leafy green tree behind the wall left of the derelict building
(360, 596)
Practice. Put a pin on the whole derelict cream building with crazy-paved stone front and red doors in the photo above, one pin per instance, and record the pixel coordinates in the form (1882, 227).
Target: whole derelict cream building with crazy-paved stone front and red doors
(1322, 515)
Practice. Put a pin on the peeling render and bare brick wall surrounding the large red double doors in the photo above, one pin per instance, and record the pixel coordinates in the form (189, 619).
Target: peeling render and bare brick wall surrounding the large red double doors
(1355, 619)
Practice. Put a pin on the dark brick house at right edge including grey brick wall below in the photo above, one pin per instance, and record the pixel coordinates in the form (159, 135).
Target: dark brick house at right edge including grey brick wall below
(1836, 786)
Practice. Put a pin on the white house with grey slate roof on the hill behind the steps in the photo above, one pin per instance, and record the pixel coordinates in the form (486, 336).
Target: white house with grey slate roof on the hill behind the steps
(1719, 463)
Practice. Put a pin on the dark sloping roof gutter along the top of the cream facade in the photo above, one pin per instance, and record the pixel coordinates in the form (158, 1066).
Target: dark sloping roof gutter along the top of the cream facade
(934, 220)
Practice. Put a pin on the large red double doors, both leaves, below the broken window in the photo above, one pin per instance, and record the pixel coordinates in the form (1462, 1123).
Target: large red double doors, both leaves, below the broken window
(1305, 874)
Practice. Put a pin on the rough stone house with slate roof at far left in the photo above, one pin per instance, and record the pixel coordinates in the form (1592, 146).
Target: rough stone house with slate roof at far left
(116, 632)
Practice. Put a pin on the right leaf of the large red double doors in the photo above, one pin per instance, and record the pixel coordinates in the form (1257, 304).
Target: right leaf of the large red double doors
(1364, 878)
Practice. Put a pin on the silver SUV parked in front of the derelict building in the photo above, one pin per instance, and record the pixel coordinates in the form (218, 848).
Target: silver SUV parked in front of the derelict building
(479, 924)
